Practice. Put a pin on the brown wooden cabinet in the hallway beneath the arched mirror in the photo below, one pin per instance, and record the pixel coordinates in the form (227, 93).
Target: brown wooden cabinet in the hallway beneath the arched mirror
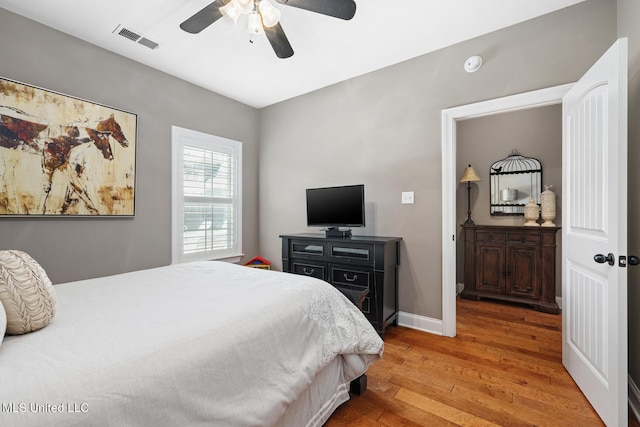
(516, 264)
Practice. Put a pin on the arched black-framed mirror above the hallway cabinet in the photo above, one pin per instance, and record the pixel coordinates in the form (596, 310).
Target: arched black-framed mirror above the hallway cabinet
(514, 180)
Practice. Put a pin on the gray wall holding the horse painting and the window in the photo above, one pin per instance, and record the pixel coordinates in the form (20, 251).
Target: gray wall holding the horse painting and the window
(72, 248)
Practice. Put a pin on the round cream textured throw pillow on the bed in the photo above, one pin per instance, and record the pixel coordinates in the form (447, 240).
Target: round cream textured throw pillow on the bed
(26, 293)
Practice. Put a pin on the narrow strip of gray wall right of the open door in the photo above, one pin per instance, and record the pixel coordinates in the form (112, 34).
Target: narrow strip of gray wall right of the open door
(628, 13)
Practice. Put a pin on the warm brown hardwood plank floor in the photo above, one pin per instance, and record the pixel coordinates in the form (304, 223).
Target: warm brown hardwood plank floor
(504, 368)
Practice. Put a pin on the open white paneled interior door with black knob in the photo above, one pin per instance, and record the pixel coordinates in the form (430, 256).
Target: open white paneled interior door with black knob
(594, 221)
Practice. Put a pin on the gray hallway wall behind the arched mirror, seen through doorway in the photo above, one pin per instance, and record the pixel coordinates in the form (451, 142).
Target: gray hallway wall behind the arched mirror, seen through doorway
(535, 132)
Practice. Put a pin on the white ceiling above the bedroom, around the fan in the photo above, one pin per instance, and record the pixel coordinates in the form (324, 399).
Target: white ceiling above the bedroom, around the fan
(327, 50)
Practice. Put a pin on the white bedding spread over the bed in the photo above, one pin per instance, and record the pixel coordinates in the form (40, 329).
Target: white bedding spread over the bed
(206, 343)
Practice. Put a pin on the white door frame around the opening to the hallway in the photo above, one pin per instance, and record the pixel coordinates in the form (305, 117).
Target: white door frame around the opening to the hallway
(450, 116)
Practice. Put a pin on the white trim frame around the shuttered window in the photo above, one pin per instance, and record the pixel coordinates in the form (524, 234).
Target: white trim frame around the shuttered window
(180, 137)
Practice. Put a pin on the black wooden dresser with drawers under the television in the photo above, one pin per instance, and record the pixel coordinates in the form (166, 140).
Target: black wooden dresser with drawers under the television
(351, 265)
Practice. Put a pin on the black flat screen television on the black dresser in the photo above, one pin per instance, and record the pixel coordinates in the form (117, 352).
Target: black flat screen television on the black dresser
(334, 207)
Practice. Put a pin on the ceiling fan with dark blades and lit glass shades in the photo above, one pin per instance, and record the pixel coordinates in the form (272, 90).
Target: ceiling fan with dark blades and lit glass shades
(264, 17)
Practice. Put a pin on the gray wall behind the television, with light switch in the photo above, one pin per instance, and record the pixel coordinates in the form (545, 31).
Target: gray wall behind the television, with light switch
(383, 130)
